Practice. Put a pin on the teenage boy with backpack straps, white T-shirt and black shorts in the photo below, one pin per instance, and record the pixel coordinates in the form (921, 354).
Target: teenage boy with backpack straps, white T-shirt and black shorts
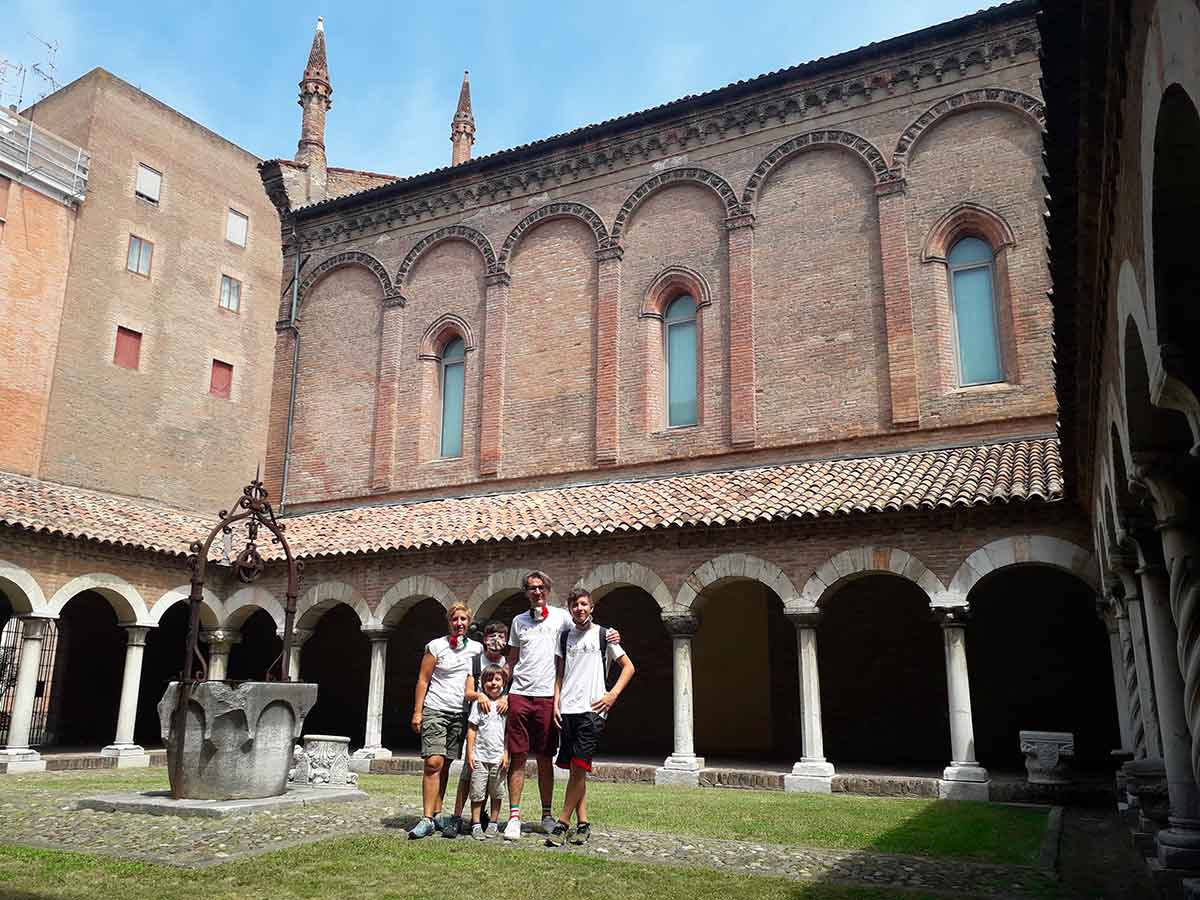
(581, 705)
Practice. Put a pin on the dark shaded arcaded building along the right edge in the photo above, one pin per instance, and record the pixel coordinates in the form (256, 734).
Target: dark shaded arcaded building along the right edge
(1124, 81)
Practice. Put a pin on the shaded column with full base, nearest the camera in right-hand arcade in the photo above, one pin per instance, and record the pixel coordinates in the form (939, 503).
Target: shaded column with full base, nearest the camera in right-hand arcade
(1179, 845)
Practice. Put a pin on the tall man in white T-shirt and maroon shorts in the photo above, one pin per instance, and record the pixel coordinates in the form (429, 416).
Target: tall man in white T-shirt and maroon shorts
(531, 709)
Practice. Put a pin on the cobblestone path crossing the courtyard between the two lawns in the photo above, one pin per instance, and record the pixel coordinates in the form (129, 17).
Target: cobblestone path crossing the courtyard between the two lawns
(40, 812)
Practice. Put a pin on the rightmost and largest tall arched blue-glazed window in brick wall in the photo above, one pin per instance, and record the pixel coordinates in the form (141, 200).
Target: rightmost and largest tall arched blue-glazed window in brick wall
(973, 293)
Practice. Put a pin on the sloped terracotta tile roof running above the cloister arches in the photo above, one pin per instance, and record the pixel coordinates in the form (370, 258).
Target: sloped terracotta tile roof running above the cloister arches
(962, 477)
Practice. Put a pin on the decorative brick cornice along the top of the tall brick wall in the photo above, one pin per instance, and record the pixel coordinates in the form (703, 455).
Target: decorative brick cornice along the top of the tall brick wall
(767, 110)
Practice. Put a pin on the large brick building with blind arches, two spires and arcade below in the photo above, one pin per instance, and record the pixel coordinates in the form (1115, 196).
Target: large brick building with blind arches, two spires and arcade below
(767, 369)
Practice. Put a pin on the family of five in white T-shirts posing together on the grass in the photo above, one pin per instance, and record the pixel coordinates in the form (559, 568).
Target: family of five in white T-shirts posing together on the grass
(527, 692)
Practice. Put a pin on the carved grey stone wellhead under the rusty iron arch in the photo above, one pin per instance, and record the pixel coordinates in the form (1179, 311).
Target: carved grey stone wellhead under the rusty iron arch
(238, 741)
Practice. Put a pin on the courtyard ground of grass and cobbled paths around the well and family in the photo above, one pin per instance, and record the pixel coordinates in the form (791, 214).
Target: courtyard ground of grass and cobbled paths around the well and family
(661, 842)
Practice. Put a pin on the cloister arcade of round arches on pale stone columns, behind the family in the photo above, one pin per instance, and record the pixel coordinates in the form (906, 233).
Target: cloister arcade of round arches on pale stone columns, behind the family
(871, 663)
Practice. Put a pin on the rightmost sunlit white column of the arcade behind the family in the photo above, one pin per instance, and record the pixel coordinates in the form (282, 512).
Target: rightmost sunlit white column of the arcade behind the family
(964, 779)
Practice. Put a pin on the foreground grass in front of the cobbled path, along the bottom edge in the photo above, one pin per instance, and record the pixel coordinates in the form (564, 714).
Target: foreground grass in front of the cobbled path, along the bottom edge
(383, 867)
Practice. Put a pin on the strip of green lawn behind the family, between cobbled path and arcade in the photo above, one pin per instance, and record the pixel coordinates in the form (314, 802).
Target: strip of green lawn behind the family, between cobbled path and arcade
(977, 832)
